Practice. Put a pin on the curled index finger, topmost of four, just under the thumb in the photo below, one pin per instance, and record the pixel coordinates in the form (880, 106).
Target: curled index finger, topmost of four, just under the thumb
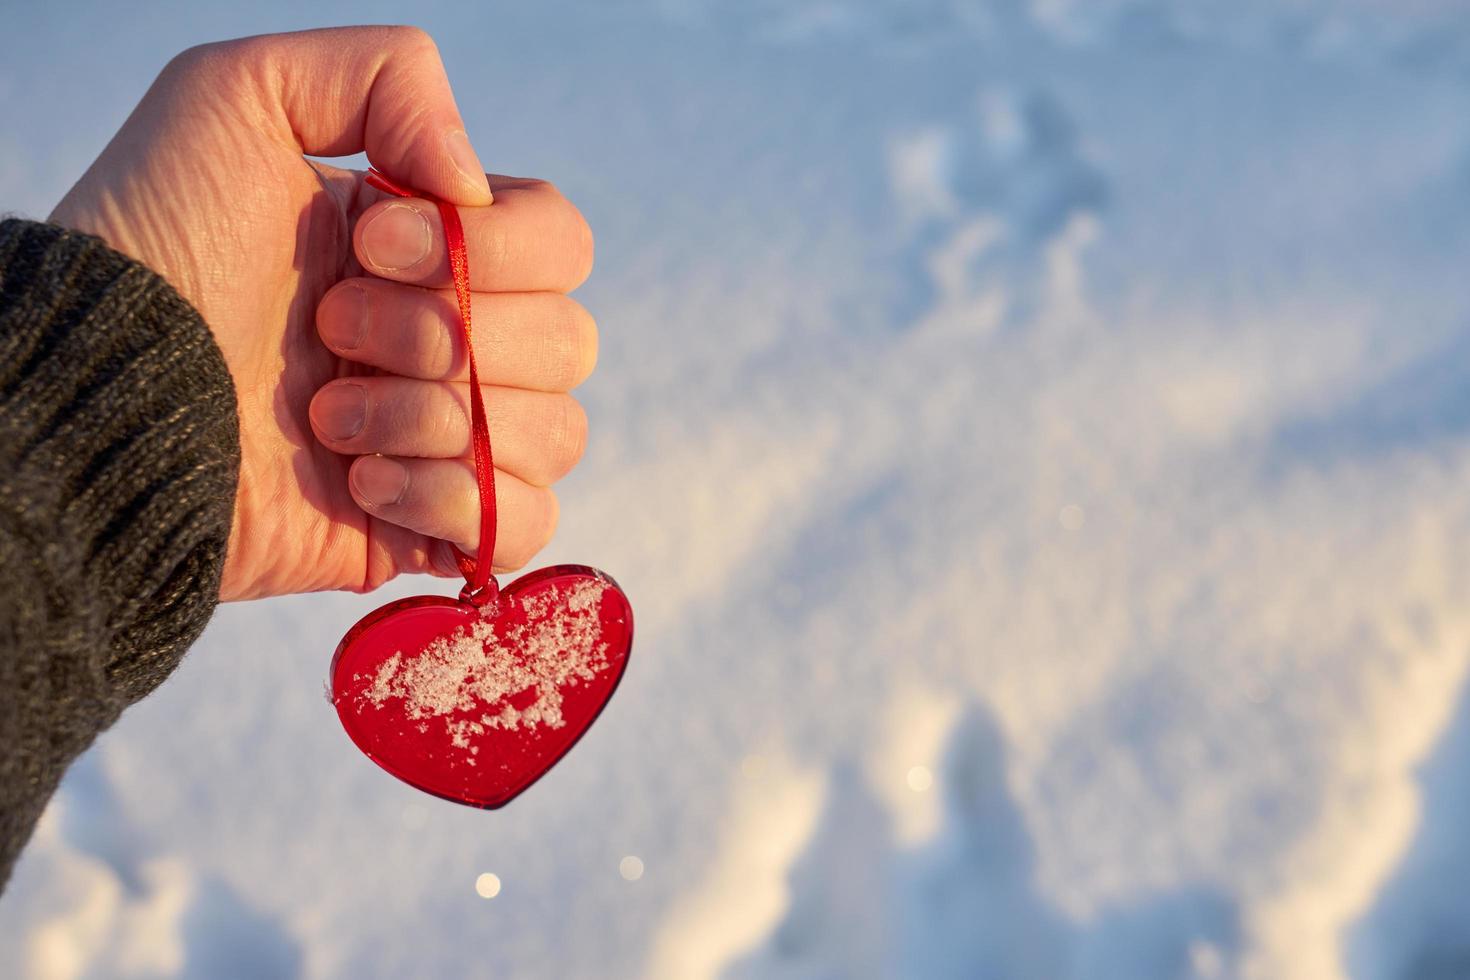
(531, 240)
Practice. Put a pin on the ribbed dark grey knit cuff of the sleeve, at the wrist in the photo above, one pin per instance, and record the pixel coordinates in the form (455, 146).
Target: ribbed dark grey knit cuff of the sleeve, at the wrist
(120, 444)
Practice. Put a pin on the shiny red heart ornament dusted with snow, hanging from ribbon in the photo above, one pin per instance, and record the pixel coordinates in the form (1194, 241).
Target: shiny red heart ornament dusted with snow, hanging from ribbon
(476, 705)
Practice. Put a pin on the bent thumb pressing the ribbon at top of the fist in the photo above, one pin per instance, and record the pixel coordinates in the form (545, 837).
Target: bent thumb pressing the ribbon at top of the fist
(381, 89)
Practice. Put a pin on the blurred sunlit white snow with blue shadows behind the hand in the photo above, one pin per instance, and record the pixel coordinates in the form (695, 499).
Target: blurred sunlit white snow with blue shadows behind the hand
(1036, 439)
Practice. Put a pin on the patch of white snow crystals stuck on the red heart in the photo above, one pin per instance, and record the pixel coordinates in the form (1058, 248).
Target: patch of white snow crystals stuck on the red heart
(474, 671)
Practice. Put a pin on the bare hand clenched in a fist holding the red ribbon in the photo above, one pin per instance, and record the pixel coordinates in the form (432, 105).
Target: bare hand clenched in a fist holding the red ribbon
(208, 184)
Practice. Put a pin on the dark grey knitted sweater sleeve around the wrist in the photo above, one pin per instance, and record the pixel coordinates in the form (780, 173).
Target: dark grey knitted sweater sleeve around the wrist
(120, 453)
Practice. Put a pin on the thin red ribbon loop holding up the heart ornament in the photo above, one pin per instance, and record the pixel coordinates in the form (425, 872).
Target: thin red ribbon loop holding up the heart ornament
(476, 571)
